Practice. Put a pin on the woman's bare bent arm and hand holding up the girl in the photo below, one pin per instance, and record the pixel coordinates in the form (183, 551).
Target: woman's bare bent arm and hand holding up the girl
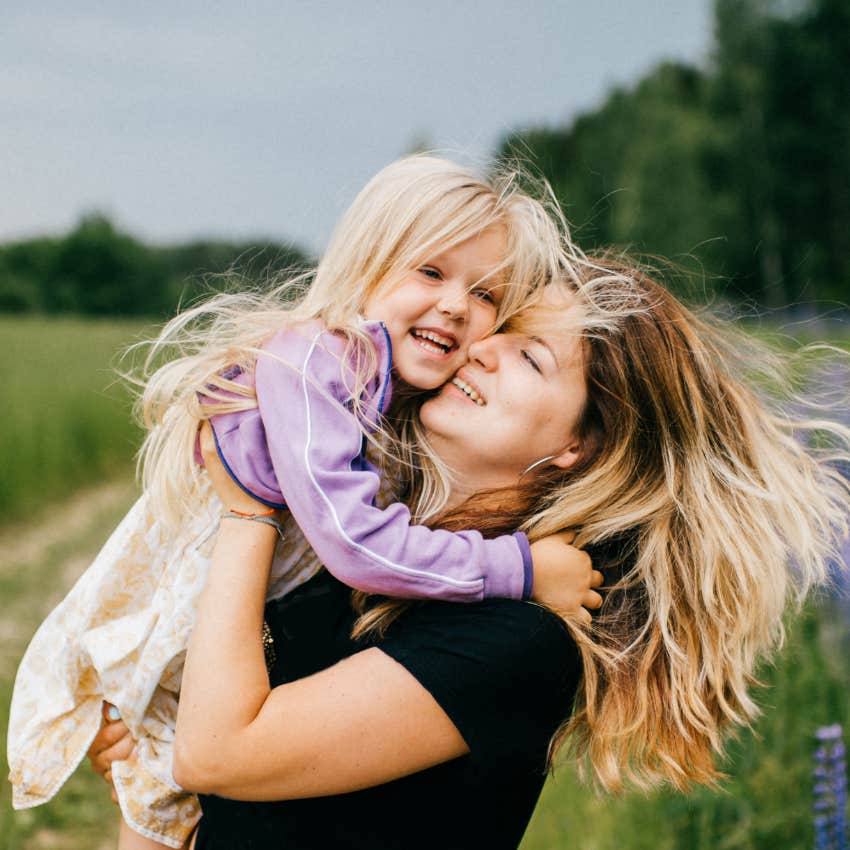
(363, 722)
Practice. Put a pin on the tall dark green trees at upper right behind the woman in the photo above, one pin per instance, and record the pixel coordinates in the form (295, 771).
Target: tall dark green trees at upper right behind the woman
(740, 169)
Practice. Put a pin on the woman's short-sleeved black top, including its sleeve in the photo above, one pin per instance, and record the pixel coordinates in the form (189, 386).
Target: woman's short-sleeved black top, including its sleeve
(505, 672)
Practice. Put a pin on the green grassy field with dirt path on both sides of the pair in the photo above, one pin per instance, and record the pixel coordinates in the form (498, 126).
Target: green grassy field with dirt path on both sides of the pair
(67, 425)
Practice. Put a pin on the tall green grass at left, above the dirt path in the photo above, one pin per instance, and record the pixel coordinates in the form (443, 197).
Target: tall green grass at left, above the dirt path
(66, 418)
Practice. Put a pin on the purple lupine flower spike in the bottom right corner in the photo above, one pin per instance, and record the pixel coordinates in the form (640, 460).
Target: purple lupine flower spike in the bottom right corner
(830, 790)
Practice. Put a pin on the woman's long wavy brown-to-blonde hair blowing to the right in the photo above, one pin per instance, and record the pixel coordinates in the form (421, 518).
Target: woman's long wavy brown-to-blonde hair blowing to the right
(723, 500)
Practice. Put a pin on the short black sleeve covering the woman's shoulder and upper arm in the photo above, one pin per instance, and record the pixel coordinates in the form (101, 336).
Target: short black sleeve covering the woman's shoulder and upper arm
(505, 672)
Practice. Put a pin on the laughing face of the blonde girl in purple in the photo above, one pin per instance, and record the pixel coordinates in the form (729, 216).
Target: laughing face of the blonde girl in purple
(436, 310)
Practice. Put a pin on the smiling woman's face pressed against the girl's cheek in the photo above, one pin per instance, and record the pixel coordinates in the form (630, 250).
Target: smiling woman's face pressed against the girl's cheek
(519, 399)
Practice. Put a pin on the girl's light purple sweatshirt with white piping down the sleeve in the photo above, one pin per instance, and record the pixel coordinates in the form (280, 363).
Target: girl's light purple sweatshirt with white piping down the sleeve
(302, 449)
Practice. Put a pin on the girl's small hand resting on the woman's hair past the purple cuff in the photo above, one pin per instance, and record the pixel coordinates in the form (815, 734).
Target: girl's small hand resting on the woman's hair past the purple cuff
(564, 577)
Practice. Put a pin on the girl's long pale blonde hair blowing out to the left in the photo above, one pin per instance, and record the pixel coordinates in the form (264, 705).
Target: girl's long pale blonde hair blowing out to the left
(409, 210)
